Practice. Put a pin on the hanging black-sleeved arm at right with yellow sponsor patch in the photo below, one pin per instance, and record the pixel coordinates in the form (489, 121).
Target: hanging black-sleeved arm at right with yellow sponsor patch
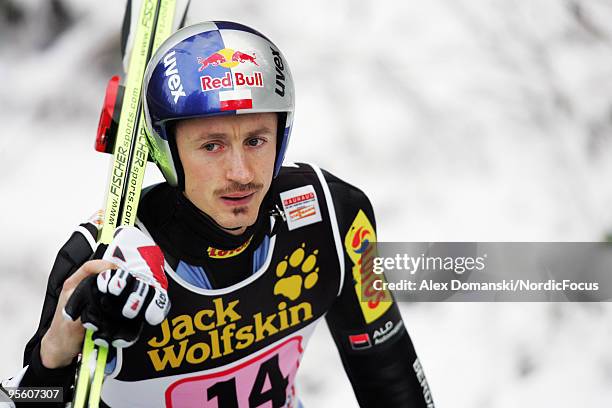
(376, 351)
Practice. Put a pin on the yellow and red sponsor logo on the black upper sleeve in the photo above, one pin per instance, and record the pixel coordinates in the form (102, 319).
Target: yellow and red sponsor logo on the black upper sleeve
(360, 244)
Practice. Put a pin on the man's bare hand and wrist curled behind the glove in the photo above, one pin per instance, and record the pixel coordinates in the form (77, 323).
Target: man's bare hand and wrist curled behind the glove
(64, 339)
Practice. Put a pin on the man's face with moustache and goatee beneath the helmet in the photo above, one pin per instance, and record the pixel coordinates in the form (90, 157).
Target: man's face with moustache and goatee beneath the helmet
(228, 163)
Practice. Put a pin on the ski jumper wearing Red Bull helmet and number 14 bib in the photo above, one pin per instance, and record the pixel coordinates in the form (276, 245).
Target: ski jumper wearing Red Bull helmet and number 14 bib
(254, 254)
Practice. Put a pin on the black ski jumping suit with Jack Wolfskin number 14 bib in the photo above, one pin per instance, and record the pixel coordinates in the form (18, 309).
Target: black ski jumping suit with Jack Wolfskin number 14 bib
(243, 308)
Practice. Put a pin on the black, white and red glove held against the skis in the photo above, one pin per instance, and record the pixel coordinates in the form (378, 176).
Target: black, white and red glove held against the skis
(115, 304)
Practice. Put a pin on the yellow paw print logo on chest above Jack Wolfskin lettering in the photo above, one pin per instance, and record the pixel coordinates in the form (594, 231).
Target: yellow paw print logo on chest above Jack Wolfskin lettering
(303, 275)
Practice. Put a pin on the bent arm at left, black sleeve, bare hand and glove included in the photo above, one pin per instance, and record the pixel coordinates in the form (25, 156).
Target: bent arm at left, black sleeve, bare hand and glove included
(114, 304)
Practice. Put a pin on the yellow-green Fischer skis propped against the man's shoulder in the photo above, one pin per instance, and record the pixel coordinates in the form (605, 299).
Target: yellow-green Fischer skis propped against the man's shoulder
(154, 23)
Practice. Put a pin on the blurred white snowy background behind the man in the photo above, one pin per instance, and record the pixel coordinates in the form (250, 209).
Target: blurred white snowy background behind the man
(461, 119)
